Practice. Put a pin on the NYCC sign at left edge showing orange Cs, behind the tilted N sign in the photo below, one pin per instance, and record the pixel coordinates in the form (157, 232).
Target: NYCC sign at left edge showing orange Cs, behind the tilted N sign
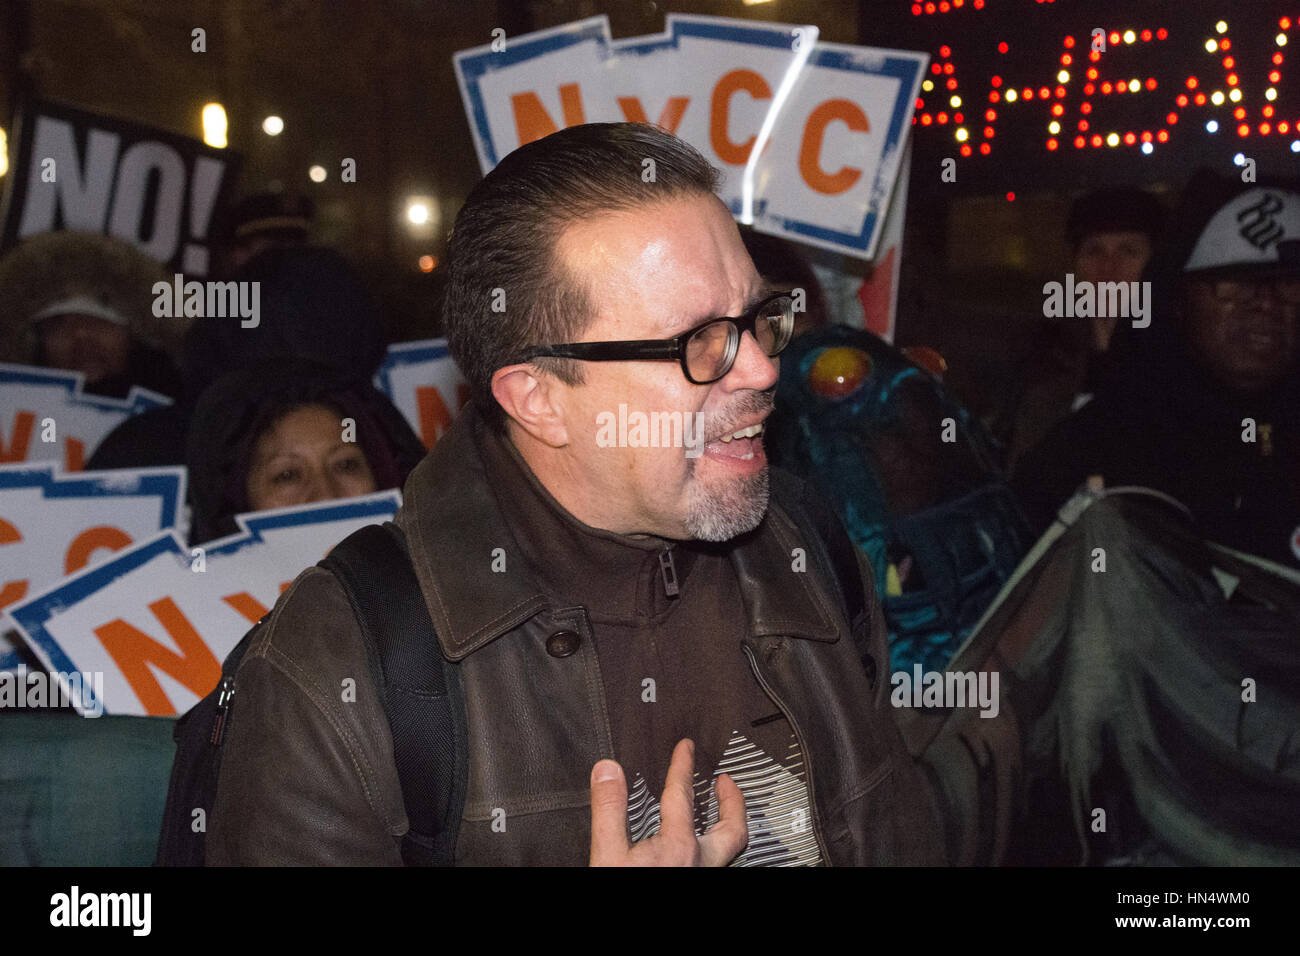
(54, 525)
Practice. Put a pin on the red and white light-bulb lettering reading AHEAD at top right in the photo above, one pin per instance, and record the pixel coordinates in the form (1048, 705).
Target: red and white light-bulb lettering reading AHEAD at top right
(1149, 66)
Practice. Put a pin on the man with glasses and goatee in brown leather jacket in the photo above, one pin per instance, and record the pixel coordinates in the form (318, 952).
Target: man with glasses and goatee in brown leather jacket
(655, 660)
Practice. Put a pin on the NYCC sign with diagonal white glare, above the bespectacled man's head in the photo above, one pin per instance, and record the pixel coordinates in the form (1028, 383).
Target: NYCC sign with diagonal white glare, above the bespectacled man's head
(811, 135)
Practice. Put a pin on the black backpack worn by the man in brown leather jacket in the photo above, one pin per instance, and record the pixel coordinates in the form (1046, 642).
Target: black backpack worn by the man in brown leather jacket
(422, 698)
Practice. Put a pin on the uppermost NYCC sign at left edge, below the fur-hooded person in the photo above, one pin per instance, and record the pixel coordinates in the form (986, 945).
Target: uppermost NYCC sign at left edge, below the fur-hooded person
(46, 417)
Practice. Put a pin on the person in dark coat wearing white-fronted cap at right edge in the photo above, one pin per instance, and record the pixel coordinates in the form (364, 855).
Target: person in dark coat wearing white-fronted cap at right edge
(1204, 403)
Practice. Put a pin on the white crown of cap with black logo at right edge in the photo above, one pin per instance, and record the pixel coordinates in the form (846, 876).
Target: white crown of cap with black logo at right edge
(1258, 231)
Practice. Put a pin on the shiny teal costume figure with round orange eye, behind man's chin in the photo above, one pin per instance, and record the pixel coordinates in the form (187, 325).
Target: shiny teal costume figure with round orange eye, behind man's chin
(963, 533)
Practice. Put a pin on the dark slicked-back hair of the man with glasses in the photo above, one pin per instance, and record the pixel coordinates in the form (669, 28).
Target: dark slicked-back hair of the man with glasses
(504, 245)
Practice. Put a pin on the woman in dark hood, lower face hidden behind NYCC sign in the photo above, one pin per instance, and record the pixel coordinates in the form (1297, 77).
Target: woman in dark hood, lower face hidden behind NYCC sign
(289, 432)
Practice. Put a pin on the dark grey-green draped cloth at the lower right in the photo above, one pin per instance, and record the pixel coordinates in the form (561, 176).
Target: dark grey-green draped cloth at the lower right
(1146, 674)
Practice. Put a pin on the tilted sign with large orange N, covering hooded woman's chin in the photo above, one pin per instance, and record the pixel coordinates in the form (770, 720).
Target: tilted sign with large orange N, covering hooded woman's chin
(159, 617)
